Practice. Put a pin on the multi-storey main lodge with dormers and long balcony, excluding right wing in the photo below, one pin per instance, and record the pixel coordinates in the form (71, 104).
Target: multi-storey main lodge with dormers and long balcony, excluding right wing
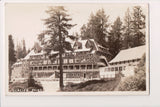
(82, 63)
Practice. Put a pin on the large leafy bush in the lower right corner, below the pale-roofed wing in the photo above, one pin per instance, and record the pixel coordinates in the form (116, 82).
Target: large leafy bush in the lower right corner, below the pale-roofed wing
(136, 82)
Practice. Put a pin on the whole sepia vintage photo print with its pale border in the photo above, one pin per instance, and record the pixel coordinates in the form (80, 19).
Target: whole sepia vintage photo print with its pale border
(77, 49)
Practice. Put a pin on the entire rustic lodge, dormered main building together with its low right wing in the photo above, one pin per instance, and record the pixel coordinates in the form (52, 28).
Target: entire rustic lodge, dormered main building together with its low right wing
(86, 62)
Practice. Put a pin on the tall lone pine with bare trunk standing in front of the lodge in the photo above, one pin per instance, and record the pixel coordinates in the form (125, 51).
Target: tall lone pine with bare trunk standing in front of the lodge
(57, 29)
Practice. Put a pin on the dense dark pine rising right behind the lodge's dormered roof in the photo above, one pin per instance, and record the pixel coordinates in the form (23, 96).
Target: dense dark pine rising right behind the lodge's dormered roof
(96, 28)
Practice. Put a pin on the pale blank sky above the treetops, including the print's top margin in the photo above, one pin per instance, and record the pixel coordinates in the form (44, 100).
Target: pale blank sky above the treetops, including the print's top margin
(24, 21)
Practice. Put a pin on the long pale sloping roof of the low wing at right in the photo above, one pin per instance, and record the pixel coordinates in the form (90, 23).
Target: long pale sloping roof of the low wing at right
(129, 54)
